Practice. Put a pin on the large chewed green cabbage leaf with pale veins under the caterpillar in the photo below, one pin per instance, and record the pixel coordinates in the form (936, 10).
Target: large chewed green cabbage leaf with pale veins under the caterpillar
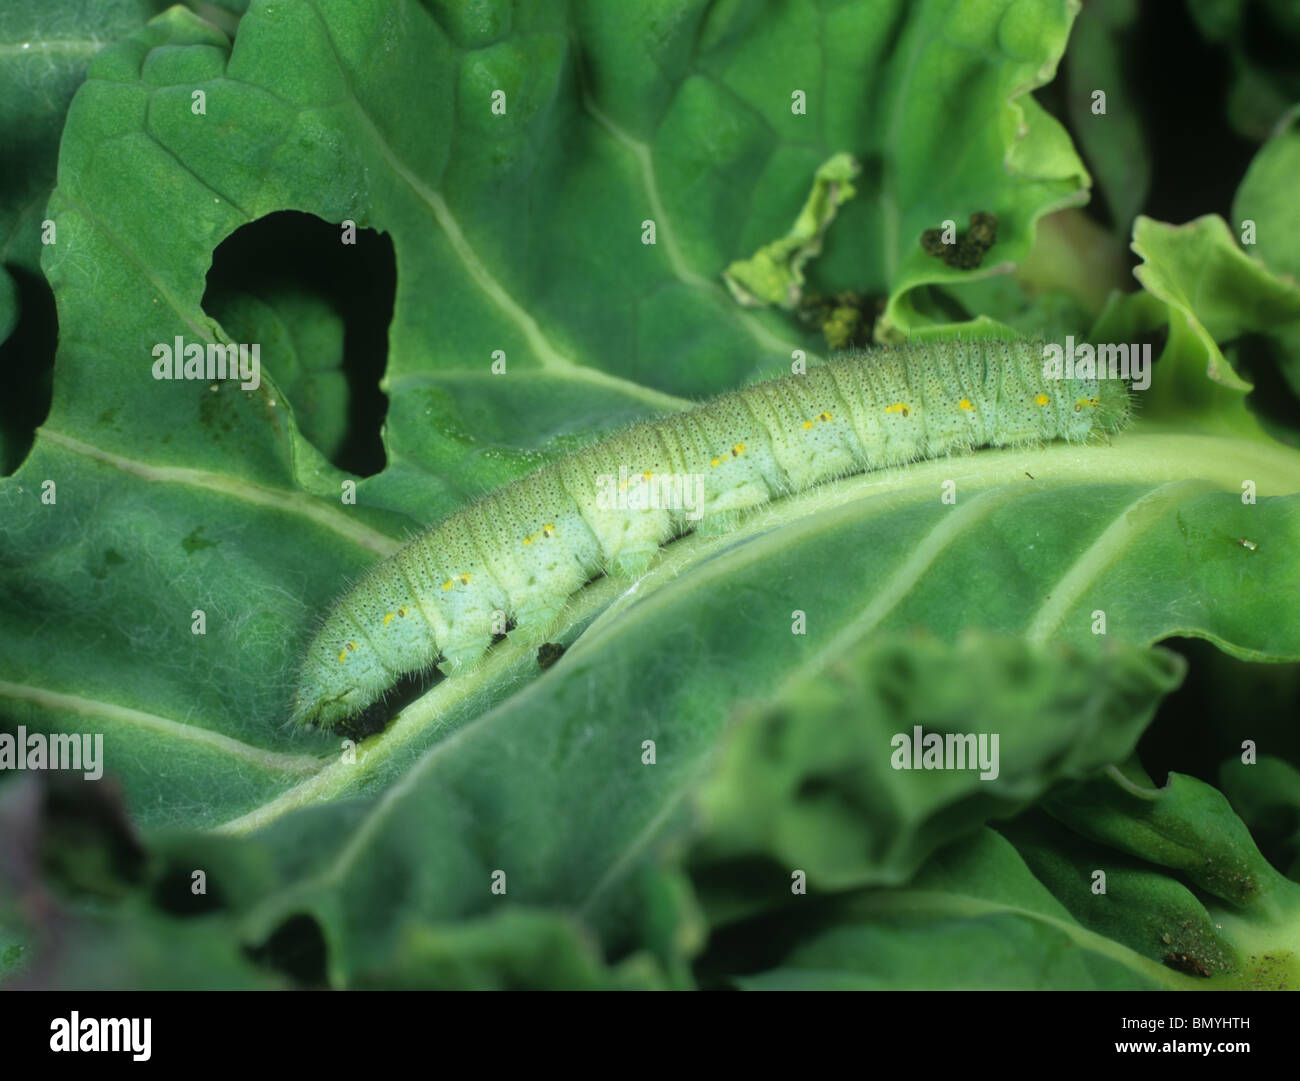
(146, 505)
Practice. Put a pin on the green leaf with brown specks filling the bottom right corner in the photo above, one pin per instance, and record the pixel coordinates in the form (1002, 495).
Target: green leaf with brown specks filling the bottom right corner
(1028, 908)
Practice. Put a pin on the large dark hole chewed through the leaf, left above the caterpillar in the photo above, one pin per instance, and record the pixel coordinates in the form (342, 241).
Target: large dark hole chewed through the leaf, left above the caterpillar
(320, 311)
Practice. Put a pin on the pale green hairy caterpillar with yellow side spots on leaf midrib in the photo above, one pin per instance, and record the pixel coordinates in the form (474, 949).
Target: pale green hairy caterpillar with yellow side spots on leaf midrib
(513, 559)
